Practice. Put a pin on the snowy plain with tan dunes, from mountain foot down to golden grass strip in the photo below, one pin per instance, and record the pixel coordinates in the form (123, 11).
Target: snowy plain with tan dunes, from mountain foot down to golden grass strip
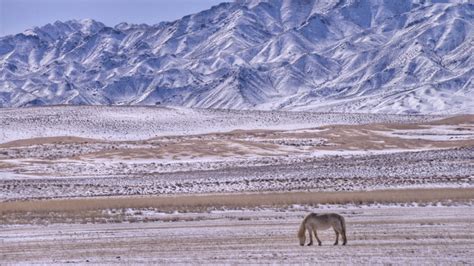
(48, 152)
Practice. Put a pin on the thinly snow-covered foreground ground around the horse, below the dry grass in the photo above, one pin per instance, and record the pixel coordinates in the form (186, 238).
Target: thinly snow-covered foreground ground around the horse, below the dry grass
(379, 234)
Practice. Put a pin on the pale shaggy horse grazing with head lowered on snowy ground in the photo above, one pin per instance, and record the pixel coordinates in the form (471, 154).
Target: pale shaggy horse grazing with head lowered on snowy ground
(314, 221)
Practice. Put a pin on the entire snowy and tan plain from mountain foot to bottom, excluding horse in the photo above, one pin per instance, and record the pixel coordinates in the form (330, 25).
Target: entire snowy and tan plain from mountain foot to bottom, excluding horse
(121, 155)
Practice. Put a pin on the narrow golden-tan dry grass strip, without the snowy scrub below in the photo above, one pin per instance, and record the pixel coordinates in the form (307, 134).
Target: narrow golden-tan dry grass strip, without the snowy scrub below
(250, 200)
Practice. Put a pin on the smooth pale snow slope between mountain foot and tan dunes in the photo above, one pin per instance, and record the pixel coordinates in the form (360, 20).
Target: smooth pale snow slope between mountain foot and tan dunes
(138, 123)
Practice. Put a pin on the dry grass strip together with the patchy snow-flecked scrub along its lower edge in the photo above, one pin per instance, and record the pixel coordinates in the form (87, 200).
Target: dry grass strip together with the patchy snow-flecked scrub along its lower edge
(114, 209)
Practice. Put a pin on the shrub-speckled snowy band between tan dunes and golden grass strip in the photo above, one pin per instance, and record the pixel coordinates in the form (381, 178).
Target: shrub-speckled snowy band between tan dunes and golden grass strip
(443, 168)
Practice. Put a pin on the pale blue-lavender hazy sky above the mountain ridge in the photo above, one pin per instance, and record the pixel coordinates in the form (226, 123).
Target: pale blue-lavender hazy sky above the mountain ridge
(18, 15)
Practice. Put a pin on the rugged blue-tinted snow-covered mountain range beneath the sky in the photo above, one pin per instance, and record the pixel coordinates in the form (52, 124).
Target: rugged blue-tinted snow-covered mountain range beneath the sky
(403, 56)
